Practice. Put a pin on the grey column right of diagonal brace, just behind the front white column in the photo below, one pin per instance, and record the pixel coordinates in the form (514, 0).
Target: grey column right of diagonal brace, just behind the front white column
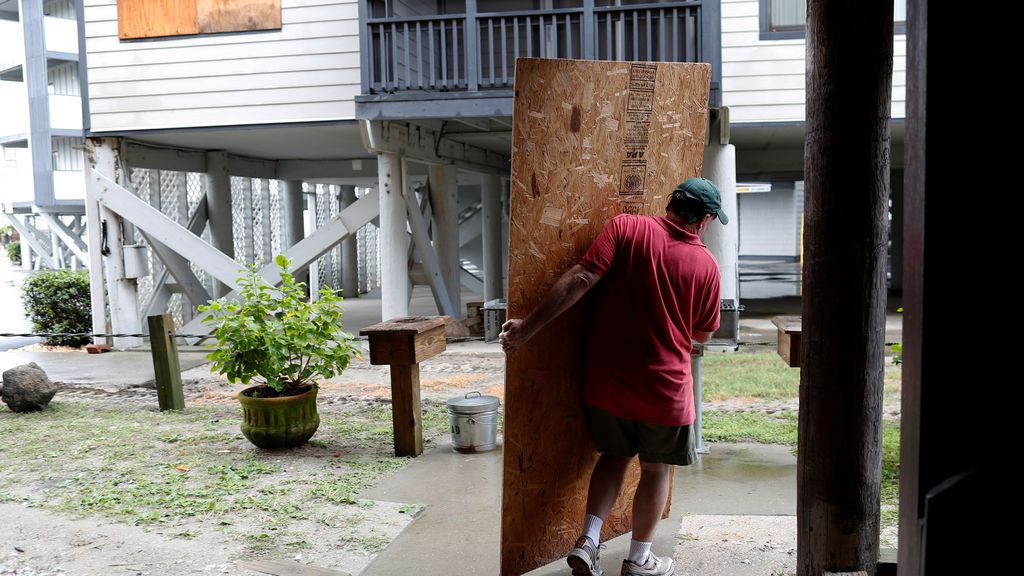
(445, 200)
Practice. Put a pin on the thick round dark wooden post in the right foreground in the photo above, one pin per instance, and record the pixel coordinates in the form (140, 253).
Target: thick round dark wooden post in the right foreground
(846, 171)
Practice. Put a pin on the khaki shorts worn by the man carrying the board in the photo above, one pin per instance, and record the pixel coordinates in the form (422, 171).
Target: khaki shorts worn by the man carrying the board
(655, 443)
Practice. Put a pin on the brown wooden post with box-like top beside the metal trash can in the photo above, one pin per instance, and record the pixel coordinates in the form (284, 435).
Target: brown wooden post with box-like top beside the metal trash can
(403, 344)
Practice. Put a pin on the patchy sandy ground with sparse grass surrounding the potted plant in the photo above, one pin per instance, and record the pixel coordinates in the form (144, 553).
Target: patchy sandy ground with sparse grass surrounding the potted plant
(102, 484)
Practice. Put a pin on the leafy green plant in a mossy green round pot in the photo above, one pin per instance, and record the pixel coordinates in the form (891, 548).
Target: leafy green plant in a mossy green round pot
(274, 337)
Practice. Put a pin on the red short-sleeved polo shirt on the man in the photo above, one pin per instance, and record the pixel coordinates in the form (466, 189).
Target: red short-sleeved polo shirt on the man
(660, 283)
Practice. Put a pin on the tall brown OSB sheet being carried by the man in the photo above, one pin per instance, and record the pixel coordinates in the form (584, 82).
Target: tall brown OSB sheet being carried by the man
(590, 141)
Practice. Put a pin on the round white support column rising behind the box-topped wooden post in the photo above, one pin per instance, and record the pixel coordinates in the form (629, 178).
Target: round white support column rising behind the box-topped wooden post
(394, 240)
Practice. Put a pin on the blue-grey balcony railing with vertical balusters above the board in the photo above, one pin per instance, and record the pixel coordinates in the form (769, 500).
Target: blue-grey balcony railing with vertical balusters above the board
(477, 52)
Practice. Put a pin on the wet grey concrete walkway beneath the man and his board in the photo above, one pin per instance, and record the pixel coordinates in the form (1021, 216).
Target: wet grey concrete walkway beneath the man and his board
(459, 531)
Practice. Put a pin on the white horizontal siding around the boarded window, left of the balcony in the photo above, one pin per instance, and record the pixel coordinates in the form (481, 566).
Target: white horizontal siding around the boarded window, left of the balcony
(308, 71)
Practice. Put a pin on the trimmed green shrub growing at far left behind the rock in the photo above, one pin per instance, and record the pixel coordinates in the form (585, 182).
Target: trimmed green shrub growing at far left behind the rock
(59, 302)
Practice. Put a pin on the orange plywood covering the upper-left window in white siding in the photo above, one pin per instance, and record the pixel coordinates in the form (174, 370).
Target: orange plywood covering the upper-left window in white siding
(151, 19)
